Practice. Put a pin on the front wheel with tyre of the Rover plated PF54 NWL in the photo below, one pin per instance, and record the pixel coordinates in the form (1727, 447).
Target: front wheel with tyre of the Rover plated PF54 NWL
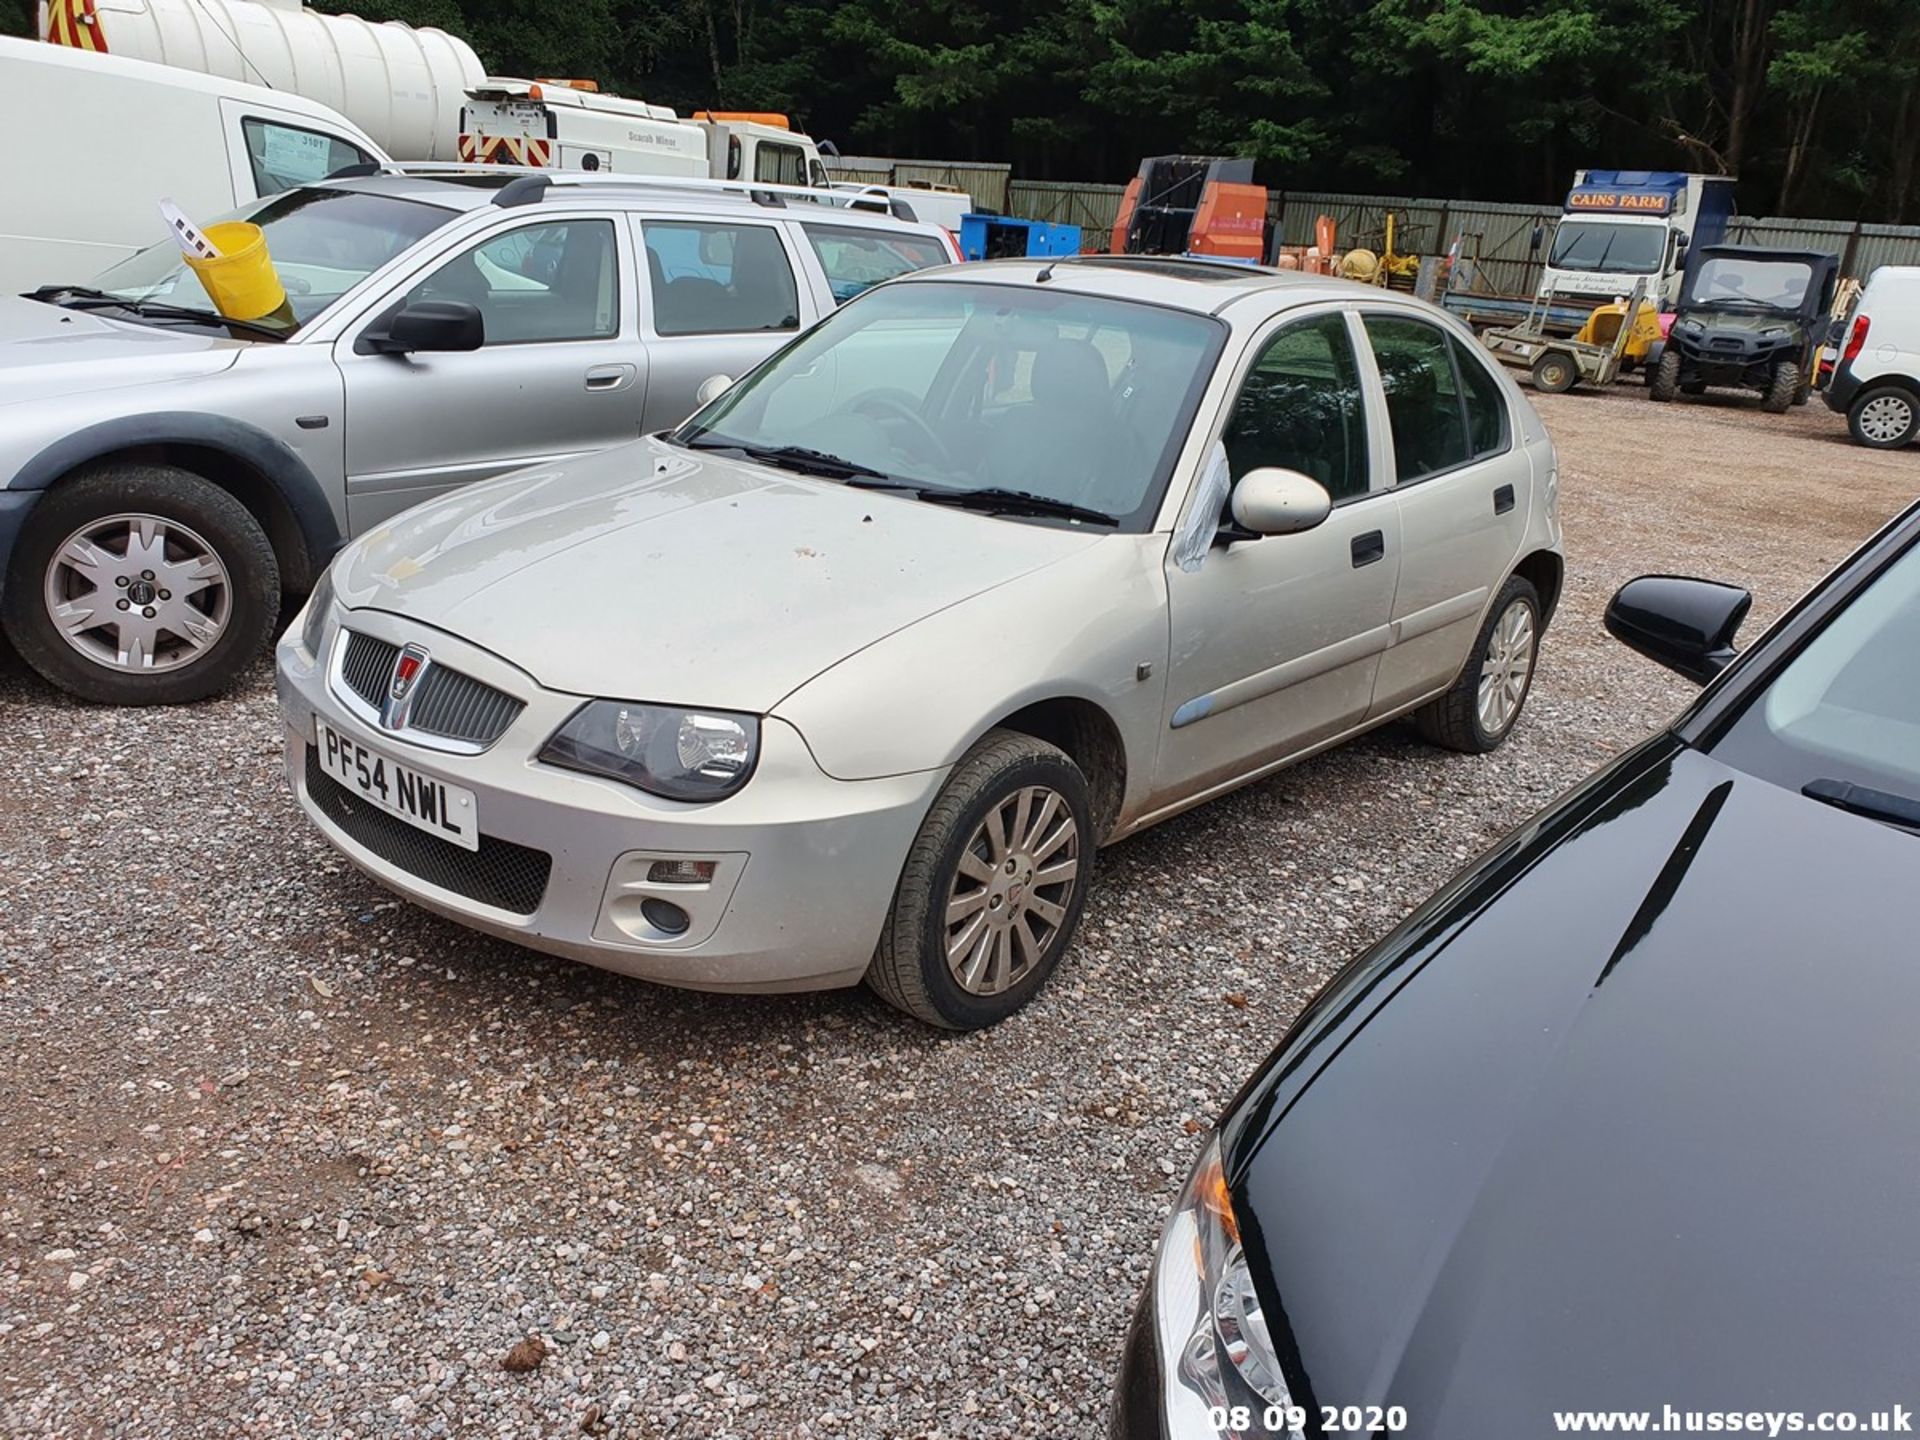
(992, 890)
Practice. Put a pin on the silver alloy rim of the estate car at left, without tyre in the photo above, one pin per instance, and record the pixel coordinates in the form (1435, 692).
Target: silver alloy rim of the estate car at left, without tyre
(135, 592)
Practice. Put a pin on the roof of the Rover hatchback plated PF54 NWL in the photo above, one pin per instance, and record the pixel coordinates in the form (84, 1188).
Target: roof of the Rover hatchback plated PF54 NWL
(1205, 287)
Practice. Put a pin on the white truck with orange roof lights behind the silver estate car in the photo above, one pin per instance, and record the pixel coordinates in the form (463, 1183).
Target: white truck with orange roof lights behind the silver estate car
(573, 126)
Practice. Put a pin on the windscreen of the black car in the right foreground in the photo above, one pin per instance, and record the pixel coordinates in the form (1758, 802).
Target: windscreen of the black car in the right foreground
(1848, 708)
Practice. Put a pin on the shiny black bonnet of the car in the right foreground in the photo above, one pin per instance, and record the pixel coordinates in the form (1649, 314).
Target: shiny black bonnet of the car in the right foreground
(1625, 1118)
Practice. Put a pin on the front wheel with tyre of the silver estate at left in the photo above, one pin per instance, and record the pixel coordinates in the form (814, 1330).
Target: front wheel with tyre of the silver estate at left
(122, 531)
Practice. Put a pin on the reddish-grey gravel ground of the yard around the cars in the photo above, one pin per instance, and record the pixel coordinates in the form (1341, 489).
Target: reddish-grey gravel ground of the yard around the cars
(285, 1157)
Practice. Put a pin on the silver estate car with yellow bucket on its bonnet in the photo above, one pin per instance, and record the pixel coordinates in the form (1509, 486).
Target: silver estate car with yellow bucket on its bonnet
(168, 475)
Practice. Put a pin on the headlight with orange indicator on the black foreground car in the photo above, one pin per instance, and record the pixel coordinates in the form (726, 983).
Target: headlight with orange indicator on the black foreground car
(1222, 1376)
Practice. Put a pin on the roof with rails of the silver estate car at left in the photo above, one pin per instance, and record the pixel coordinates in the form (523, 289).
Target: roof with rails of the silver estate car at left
(477, 187)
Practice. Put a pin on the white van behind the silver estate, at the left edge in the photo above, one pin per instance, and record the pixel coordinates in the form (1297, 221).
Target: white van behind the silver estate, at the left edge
(118, 135)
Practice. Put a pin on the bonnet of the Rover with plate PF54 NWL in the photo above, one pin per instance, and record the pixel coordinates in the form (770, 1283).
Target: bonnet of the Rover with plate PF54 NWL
(658, 575)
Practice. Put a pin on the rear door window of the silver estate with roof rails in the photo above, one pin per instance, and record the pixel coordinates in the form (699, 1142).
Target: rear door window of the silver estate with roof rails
(715, 277)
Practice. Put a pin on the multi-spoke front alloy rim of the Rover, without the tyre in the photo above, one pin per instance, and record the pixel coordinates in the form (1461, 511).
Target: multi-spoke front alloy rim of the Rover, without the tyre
(1011, 890)
